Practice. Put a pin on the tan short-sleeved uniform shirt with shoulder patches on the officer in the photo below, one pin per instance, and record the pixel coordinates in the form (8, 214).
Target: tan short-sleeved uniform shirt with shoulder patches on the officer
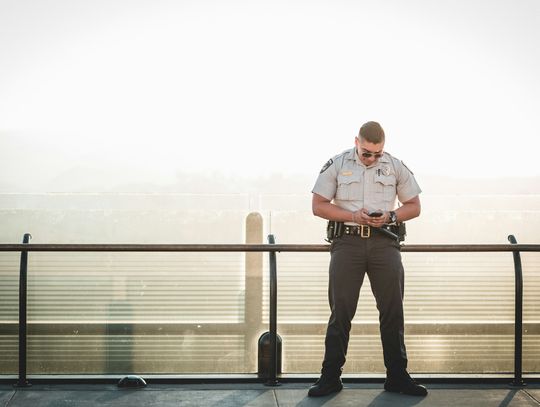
(352, 186)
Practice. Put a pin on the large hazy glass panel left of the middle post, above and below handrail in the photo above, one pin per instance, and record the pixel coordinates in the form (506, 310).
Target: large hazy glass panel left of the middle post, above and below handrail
(97, 313)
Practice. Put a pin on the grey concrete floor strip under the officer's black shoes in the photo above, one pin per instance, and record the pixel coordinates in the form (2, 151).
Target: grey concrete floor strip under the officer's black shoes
(287, 395)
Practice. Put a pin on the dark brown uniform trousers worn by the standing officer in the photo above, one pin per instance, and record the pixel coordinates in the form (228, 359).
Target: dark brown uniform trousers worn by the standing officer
(351, 258)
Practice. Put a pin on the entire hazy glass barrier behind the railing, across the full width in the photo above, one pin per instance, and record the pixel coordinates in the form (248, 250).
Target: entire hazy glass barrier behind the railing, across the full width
(97, 313)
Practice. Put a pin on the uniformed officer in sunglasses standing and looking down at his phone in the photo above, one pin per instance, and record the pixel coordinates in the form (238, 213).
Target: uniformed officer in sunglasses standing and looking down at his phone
(356, 191)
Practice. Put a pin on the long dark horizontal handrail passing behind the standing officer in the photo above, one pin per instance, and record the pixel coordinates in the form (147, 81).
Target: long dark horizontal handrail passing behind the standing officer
(413, 248)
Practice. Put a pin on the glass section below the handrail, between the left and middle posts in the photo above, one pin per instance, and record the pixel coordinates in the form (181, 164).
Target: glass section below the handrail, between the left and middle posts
(143, 312)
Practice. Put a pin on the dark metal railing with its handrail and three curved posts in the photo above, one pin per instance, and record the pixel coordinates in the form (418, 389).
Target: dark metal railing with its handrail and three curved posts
(272, 248)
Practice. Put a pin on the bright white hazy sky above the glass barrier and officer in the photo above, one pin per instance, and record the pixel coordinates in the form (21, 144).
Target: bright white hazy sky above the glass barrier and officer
(153, 87)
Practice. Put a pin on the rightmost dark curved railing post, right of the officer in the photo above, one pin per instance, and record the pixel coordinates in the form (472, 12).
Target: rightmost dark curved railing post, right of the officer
(518, 324)
